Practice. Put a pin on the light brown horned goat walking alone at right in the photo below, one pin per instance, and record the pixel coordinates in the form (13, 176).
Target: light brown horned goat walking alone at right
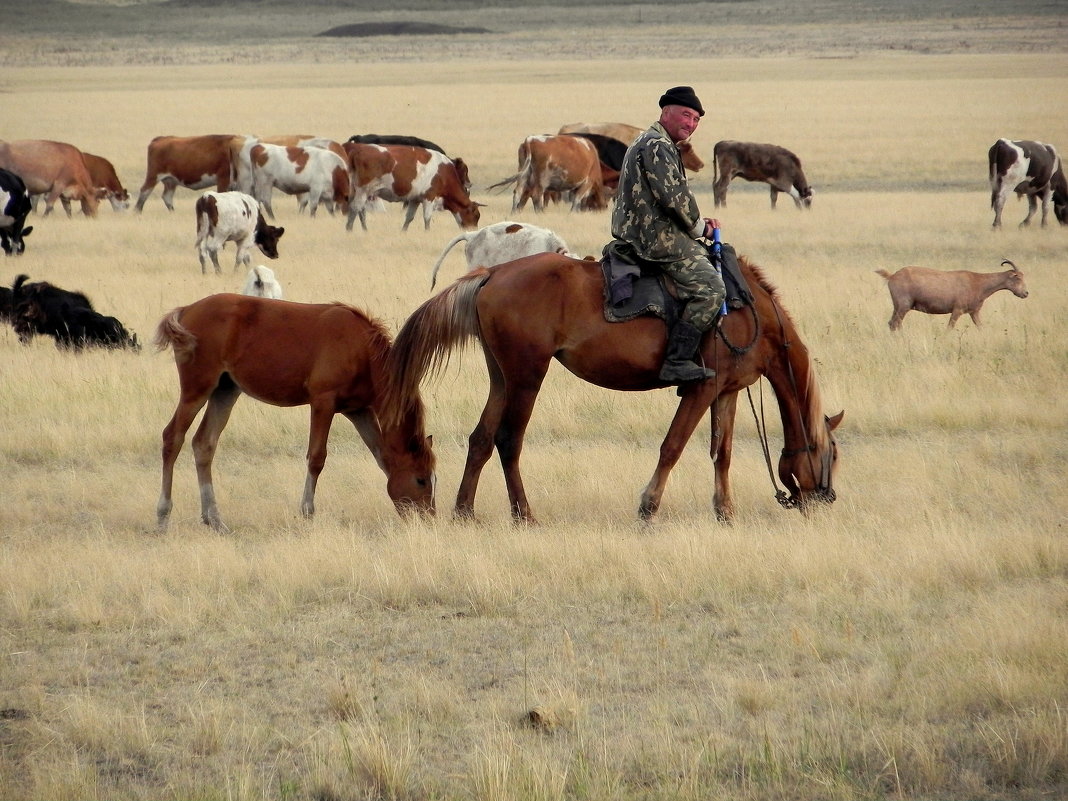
(954, 292)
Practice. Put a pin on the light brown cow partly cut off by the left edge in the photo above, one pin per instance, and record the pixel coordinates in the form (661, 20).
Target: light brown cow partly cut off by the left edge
(54, 169)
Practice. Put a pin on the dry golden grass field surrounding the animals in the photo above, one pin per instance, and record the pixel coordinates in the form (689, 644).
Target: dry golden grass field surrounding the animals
(907, 642)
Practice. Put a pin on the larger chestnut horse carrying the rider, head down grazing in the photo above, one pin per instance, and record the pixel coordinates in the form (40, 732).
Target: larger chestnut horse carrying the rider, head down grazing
(547, 307)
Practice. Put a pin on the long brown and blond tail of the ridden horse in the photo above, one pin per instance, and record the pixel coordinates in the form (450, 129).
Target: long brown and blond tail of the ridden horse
(428, 338)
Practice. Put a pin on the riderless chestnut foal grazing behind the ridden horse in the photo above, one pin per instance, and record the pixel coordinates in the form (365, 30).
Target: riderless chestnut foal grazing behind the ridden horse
(328, 356)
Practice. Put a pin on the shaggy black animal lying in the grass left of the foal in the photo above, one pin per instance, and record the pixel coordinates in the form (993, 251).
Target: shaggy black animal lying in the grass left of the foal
(69, 318)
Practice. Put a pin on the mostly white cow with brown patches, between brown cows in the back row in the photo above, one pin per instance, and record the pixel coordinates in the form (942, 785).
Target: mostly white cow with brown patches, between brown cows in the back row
(321, 175)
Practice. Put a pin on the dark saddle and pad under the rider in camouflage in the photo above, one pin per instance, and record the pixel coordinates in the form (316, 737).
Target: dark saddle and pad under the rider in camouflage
(635, 288)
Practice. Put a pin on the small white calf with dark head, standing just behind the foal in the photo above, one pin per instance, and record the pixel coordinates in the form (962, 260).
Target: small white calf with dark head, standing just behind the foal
(233, 217)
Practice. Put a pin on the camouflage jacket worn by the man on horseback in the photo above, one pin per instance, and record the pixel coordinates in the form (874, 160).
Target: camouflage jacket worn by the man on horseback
(655, 211)
